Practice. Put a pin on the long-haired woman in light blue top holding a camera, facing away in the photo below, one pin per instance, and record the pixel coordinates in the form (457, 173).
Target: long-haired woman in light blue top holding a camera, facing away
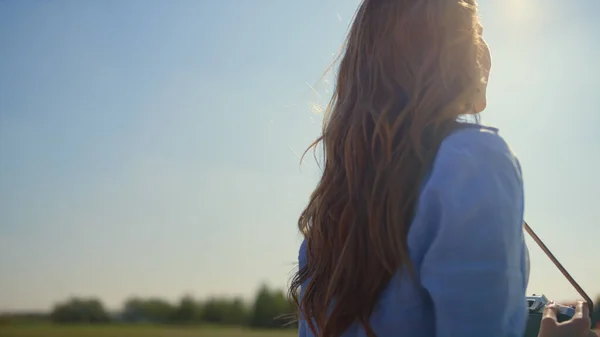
(415, 228)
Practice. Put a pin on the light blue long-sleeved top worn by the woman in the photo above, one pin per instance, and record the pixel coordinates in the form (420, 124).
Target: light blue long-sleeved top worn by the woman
(466, 243)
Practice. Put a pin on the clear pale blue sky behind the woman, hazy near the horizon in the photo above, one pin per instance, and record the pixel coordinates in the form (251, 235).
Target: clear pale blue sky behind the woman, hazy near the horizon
(148, 147)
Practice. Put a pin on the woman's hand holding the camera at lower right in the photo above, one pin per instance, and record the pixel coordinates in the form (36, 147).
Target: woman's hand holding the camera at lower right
(578, 326)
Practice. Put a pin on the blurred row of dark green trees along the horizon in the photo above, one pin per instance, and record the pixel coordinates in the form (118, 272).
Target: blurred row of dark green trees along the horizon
(270, 309)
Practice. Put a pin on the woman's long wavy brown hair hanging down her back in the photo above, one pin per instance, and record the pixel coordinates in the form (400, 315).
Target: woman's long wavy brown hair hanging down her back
(408, 70)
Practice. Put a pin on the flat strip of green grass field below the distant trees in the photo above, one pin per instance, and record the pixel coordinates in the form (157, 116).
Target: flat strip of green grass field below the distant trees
(134, 331)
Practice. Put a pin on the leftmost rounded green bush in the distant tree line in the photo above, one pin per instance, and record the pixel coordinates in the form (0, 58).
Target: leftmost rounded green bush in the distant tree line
(78, 310)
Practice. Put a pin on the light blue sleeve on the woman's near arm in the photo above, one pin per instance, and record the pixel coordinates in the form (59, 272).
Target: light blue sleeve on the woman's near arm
(474, 264)
